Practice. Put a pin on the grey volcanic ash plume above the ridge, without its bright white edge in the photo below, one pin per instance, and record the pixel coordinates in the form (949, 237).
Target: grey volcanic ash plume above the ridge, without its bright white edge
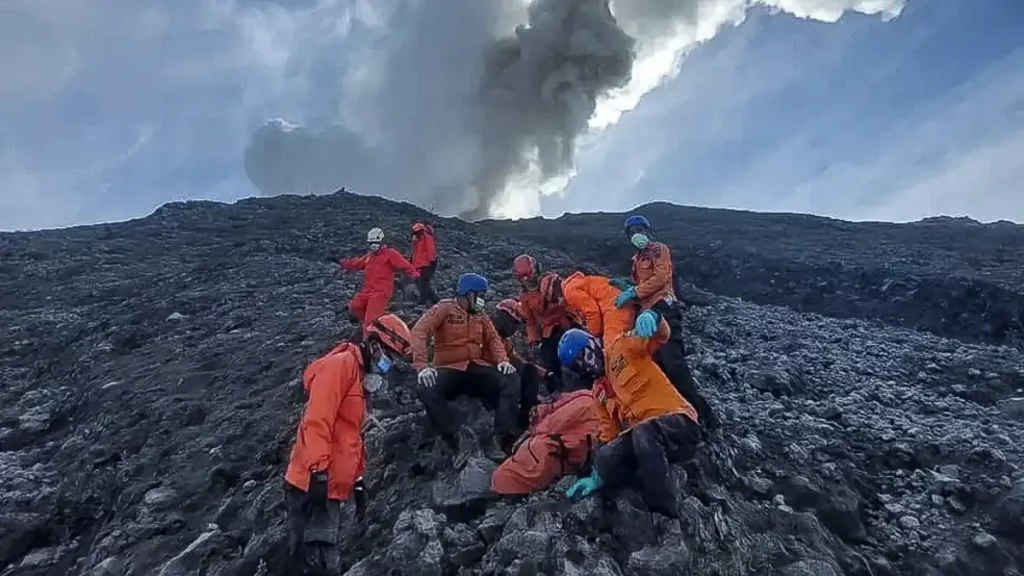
(460, 111)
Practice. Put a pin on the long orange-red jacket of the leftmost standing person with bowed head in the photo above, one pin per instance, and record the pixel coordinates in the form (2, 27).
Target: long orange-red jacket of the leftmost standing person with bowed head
(329, 435)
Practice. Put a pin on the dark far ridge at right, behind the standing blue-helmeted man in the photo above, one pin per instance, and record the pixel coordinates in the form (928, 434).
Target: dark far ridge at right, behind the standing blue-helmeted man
(953, 277)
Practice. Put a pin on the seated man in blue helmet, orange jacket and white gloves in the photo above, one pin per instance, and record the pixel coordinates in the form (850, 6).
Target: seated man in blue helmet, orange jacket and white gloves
(470, 359)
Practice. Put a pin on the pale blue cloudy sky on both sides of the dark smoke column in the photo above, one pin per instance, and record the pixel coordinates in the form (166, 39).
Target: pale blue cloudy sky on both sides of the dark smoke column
(106, 115)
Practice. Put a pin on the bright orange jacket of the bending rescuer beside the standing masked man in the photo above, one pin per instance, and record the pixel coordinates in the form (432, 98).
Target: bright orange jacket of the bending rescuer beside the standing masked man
(592, 301)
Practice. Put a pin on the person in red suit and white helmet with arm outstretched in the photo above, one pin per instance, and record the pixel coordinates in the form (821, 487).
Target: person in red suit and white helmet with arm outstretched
(378, 266)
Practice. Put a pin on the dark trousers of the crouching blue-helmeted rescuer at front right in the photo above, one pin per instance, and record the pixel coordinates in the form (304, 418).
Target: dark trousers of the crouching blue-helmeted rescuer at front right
(644, 455)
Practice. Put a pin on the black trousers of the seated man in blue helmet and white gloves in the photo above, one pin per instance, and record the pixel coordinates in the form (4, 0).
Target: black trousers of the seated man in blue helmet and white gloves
(486, 383)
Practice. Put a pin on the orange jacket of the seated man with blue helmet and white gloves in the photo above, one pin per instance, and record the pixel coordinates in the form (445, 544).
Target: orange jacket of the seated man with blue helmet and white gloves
(460, 338)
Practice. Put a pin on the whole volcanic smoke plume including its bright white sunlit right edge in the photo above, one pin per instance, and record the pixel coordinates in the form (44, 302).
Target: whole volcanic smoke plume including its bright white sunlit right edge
(463, 116)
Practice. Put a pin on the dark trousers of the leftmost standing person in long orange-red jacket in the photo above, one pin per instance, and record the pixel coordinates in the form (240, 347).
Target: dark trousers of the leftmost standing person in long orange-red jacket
(314, 536)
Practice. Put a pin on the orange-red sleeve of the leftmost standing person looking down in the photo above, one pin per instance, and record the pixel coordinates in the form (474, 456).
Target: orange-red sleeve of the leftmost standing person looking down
(326, 392)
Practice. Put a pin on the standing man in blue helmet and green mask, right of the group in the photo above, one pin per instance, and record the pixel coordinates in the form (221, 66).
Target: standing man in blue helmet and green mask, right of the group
(653, 289)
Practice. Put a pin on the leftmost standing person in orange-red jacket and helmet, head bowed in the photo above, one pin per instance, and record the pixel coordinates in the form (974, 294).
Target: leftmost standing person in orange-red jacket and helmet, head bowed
(328, 460)
